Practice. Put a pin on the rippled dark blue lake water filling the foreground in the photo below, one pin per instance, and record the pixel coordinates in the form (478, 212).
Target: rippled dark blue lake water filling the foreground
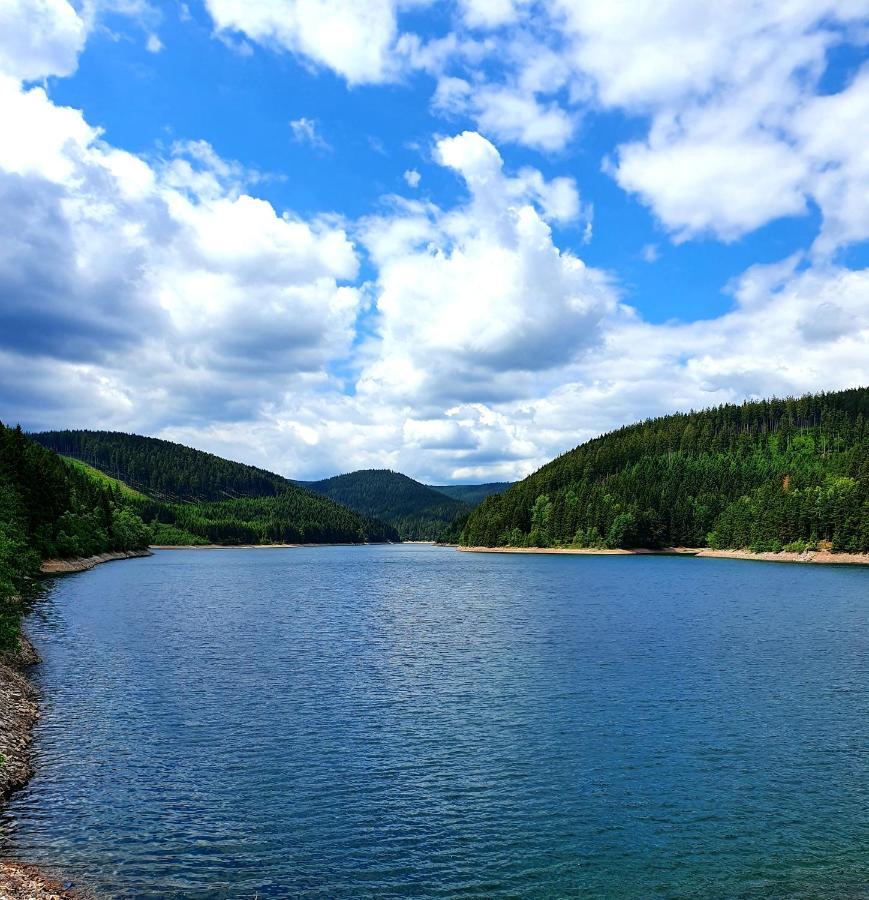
(417, 722)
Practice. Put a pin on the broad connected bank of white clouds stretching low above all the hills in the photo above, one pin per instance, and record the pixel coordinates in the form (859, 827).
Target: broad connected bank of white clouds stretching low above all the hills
(164, 298)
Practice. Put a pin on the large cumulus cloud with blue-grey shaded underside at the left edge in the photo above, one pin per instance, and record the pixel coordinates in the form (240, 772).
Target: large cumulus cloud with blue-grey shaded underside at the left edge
(168, 277)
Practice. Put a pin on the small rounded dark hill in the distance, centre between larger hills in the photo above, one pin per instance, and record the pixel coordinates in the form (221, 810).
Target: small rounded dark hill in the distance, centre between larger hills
(418, 512)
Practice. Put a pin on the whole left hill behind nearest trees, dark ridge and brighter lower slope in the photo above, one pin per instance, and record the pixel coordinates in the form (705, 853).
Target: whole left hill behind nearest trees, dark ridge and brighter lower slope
(195, 497)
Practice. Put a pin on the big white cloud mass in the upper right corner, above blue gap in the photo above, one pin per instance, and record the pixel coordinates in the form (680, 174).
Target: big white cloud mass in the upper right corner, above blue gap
(723, 86)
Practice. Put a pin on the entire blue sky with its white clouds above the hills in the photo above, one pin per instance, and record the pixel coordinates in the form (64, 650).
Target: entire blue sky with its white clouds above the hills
(454, 239)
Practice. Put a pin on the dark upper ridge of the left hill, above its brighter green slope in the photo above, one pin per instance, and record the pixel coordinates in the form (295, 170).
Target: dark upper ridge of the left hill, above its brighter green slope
(162, 469)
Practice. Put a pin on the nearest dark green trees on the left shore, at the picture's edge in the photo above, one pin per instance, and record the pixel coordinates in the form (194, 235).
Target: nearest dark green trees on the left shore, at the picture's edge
(50, 509)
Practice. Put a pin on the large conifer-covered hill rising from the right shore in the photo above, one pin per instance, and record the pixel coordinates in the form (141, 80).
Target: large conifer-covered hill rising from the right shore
(762, 475)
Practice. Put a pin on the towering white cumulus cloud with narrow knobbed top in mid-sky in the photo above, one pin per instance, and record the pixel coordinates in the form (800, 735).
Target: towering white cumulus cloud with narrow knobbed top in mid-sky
(471, 297)
